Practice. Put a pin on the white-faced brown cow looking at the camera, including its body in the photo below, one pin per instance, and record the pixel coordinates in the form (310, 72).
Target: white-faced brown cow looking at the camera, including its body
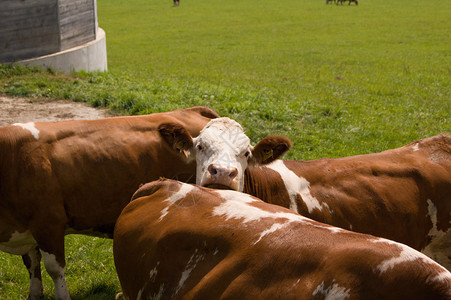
(401, 194)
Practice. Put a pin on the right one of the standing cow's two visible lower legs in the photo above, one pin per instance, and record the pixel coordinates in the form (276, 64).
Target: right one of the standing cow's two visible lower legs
(56, 272)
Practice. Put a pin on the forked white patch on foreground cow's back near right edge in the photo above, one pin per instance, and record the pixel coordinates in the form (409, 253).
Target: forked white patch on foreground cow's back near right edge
(407, 254)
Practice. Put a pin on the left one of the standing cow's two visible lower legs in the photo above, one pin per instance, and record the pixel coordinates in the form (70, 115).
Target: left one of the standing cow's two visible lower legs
(32, 261)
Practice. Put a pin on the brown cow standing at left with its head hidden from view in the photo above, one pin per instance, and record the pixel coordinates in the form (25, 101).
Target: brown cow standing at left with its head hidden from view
(76, 176)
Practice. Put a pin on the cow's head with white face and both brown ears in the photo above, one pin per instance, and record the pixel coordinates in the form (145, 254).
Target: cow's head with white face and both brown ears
(223, 151)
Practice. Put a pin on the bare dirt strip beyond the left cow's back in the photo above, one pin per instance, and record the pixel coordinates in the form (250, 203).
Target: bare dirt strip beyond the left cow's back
(20, 110)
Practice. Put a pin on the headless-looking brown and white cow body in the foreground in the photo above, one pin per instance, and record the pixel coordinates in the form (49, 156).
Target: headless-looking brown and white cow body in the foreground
(182, 241)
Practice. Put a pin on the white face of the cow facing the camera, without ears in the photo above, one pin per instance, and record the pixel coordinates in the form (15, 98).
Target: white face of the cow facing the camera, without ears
(222, 151)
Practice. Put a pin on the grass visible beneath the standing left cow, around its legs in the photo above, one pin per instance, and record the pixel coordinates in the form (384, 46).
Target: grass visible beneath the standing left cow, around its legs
(90, 273)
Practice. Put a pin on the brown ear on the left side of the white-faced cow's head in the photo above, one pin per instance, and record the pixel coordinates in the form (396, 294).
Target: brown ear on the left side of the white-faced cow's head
(177, 137)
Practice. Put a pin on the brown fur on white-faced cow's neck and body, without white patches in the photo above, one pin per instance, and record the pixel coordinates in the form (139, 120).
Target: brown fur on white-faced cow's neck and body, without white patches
(383, 194)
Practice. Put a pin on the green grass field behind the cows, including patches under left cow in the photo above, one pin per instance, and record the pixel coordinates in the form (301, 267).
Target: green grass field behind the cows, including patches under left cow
(337, 80)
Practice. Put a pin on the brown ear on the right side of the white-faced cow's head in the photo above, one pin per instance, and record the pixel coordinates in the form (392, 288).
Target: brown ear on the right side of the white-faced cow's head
(269, 149)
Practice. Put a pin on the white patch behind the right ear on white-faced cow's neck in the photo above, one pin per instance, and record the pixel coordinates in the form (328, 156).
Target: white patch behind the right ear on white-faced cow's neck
(297, 185)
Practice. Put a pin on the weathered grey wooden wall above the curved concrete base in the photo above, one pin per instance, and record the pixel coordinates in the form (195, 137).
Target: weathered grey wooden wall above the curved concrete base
(33, 28)
